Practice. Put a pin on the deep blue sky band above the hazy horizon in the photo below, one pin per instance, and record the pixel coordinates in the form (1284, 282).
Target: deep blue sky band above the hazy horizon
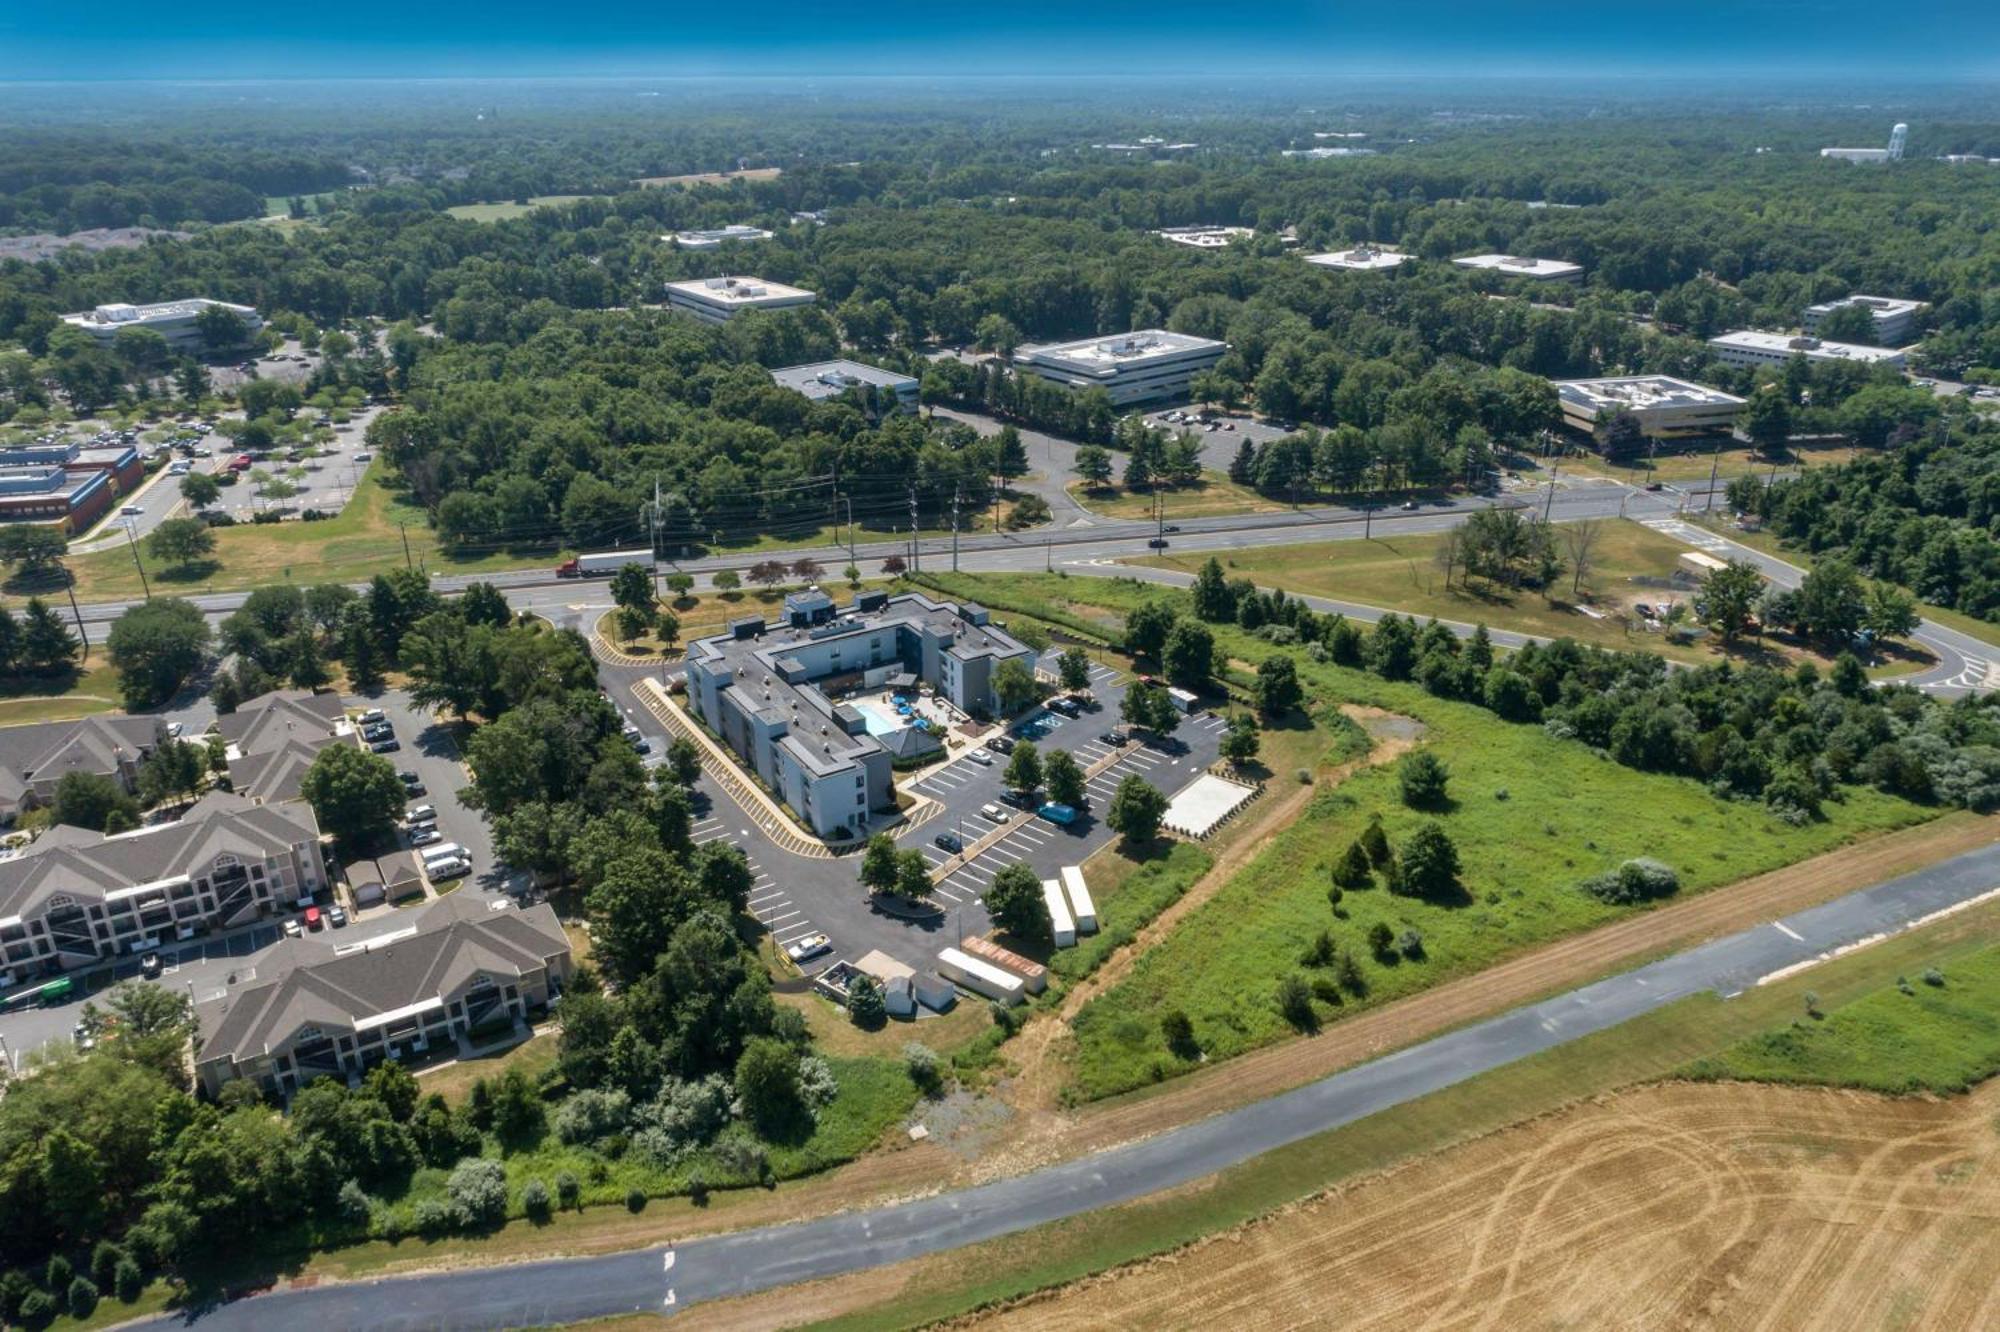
(513, 39)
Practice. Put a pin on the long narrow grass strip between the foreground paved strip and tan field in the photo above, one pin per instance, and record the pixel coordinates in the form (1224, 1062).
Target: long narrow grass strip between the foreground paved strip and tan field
(1645, 1049)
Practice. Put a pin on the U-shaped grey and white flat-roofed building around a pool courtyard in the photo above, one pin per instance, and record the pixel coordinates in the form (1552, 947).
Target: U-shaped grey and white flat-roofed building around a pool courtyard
(769, 693)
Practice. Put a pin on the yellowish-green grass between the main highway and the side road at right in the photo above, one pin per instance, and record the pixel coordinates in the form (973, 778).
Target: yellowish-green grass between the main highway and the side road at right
(1401, 573)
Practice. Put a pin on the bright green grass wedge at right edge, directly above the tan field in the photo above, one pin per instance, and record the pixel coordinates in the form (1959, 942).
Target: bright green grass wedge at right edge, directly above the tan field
(1911, 1037)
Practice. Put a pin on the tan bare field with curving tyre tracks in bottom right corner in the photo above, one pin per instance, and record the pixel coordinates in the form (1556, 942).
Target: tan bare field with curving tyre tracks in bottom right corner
(1673, 1207)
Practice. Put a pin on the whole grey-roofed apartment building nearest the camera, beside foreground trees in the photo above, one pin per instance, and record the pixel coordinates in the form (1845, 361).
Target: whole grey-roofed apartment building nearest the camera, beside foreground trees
(467, 969)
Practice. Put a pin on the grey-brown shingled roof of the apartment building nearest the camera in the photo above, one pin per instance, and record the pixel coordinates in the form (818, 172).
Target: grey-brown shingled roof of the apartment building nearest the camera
(311, 981)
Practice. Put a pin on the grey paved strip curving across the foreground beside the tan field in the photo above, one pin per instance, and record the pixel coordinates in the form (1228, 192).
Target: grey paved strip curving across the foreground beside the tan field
(717, 1267)
